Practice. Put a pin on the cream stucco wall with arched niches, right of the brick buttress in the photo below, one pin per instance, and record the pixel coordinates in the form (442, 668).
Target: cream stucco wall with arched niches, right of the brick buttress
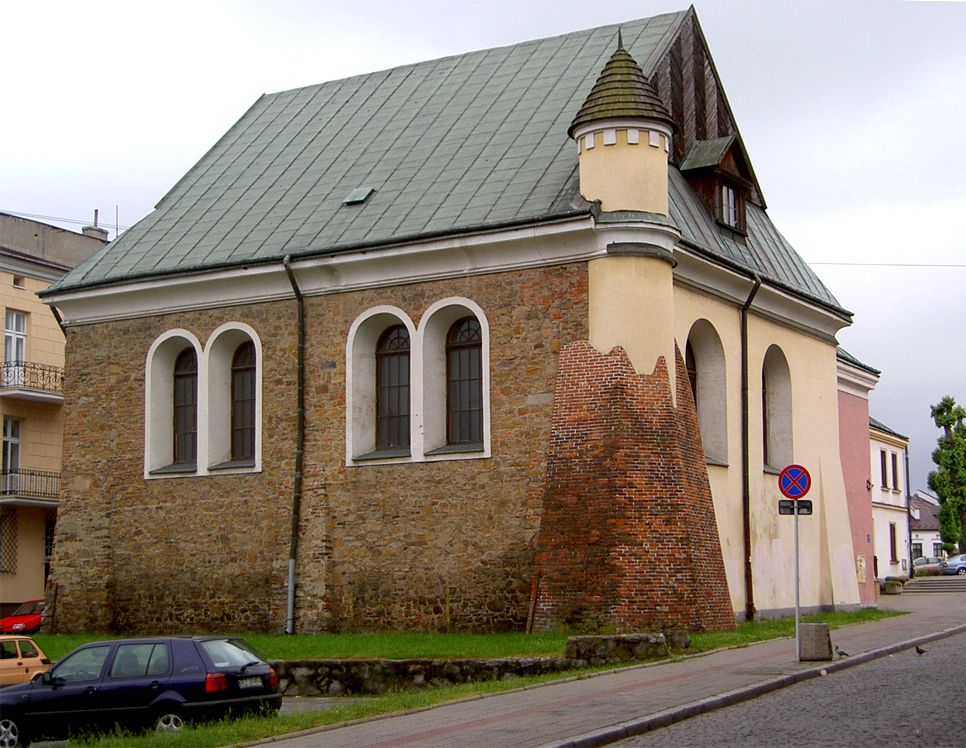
(826, 568)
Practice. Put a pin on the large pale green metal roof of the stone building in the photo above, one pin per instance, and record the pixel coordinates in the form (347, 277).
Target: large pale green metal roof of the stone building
(451, 145)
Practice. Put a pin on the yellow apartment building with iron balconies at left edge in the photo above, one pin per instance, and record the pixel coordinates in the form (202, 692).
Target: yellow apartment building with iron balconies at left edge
(32, 256)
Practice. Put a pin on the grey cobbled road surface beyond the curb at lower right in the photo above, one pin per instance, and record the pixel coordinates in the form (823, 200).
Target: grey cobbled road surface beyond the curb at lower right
(901, 699)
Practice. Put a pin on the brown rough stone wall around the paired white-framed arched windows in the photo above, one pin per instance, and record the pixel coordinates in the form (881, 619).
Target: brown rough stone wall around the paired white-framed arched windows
(445, 545)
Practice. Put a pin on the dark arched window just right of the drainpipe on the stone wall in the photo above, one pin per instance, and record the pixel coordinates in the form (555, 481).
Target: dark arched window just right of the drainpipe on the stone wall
(392, 388)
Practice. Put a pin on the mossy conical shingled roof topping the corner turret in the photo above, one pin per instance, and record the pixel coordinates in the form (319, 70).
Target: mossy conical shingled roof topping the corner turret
(621, 91)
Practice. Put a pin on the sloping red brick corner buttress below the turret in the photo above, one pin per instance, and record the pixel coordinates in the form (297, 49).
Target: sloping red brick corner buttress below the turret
(628, 539)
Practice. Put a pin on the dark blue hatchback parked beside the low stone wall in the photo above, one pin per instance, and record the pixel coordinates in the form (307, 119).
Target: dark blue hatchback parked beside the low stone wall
(159, 682)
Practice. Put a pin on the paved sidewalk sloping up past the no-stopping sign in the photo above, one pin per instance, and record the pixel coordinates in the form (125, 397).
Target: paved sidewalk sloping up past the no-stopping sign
(607, 707)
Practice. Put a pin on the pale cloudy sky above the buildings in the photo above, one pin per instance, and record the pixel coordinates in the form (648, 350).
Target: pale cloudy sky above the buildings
(853, 114)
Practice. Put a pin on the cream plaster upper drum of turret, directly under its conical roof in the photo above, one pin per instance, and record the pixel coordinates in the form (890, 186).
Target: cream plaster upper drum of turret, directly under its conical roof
(625, 176)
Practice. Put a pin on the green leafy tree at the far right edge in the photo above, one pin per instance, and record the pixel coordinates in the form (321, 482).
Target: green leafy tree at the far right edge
(949, 479)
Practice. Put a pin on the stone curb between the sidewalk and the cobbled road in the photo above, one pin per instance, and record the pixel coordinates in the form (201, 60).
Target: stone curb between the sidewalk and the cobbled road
(624, 730)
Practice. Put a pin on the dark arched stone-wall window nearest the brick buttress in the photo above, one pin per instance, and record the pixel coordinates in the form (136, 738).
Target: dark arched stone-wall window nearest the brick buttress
(464, 382)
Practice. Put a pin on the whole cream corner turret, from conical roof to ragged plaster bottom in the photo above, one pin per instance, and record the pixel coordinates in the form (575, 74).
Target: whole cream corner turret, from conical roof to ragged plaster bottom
(623, 133)
